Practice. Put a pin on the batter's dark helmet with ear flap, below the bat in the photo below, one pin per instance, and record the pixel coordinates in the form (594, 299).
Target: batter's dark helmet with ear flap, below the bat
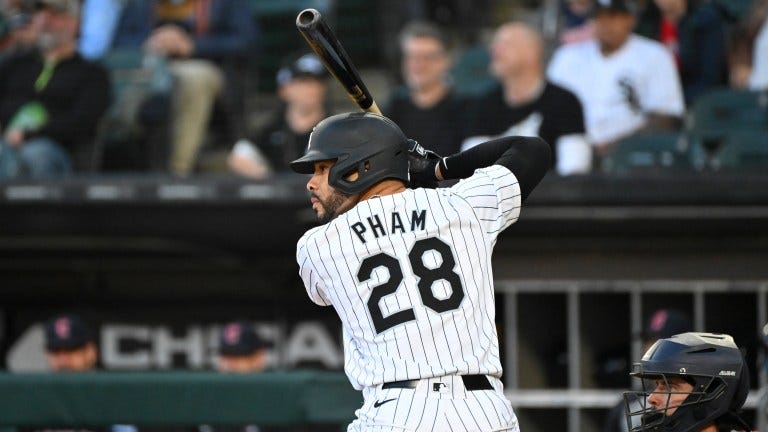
(370, 144)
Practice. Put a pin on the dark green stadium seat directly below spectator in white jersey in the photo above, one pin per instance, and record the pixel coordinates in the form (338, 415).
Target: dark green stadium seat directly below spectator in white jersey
(648, 152)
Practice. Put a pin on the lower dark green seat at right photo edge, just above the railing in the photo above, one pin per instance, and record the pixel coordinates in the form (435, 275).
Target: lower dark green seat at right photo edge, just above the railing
(743, 150)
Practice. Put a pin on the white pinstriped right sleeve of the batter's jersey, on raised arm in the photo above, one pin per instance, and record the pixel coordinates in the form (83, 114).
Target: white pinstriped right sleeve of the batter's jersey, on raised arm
(494, 195)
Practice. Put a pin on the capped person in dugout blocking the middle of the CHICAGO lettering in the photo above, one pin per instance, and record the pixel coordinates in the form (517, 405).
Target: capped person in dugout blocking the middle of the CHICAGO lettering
(241, 350)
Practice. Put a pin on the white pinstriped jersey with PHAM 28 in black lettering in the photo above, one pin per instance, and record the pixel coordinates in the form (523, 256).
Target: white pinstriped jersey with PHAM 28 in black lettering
(410, 276)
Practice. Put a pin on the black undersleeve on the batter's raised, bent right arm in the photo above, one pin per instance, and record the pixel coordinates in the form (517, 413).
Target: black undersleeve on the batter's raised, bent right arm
(528, 158)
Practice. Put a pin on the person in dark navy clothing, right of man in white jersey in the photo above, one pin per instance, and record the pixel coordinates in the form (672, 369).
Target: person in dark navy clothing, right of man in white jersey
(694, 32)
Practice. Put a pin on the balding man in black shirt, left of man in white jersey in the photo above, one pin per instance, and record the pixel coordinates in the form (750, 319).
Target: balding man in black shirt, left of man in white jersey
(525, 103)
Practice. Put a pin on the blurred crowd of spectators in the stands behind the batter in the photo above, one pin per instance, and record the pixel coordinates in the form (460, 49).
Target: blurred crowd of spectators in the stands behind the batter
(148, 85)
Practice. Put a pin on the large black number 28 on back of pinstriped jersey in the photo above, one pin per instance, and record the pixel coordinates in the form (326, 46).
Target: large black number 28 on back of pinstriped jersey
(427, 276)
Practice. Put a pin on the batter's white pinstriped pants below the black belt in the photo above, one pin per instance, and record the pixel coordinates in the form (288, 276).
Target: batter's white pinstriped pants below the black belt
(436, 404)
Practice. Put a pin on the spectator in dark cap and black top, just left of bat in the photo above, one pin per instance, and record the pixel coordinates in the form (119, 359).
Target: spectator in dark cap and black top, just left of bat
(302, 85)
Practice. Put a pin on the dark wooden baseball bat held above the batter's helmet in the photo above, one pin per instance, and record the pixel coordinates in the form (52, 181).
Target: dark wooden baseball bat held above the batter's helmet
(327, 46)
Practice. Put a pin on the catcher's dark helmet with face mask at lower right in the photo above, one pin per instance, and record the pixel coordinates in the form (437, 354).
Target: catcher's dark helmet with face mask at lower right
(710, 362)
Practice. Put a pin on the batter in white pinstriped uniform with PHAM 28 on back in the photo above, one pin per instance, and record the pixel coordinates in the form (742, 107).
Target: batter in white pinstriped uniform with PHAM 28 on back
(408, 270)
